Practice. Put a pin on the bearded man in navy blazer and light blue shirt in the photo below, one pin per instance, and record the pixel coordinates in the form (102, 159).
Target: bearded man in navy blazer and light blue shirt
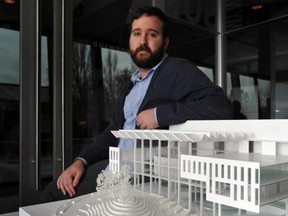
(163, 91)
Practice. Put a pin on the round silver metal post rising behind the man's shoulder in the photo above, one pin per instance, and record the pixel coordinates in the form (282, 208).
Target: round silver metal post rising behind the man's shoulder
(220, 60)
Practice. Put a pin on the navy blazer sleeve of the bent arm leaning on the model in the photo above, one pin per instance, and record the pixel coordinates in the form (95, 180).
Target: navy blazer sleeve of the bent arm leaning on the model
(192, 96)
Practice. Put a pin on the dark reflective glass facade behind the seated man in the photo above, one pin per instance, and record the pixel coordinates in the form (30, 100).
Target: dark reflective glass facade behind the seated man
(257, 68)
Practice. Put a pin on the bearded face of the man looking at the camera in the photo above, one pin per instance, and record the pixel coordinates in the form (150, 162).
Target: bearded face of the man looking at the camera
(147, 45)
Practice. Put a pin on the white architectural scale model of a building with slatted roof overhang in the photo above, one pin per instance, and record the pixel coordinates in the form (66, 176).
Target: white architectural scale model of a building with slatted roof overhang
(231, 167)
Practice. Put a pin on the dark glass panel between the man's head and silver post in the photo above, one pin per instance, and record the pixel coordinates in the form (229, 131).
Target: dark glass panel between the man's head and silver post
(192, 29)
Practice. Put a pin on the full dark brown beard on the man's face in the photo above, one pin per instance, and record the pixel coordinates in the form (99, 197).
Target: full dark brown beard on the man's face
(153, 59)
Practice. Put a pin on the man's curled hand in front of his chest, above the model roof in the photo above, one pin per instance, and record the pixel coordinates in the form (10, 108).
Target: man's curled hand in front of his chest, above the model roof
(146, 119)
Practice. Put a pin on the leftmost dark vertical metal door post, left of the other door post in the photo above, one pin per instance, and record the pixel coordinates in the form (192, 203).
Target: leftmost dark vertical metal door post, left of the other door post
(29, 100)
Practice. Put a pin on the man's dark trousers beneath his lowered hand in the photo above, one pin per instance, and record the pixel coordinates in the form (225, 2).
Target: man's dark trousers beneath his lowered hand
(86, 185)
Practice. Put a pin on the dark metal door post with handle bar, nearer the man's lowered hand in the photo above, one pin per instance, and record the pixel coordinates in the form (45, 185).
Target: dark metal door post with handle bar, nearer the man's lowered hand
(62, 85)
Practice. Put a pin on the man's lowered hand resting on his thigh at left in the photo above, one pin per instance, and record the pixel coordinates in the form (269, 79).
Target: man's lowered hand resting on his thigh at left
(70, 178)
